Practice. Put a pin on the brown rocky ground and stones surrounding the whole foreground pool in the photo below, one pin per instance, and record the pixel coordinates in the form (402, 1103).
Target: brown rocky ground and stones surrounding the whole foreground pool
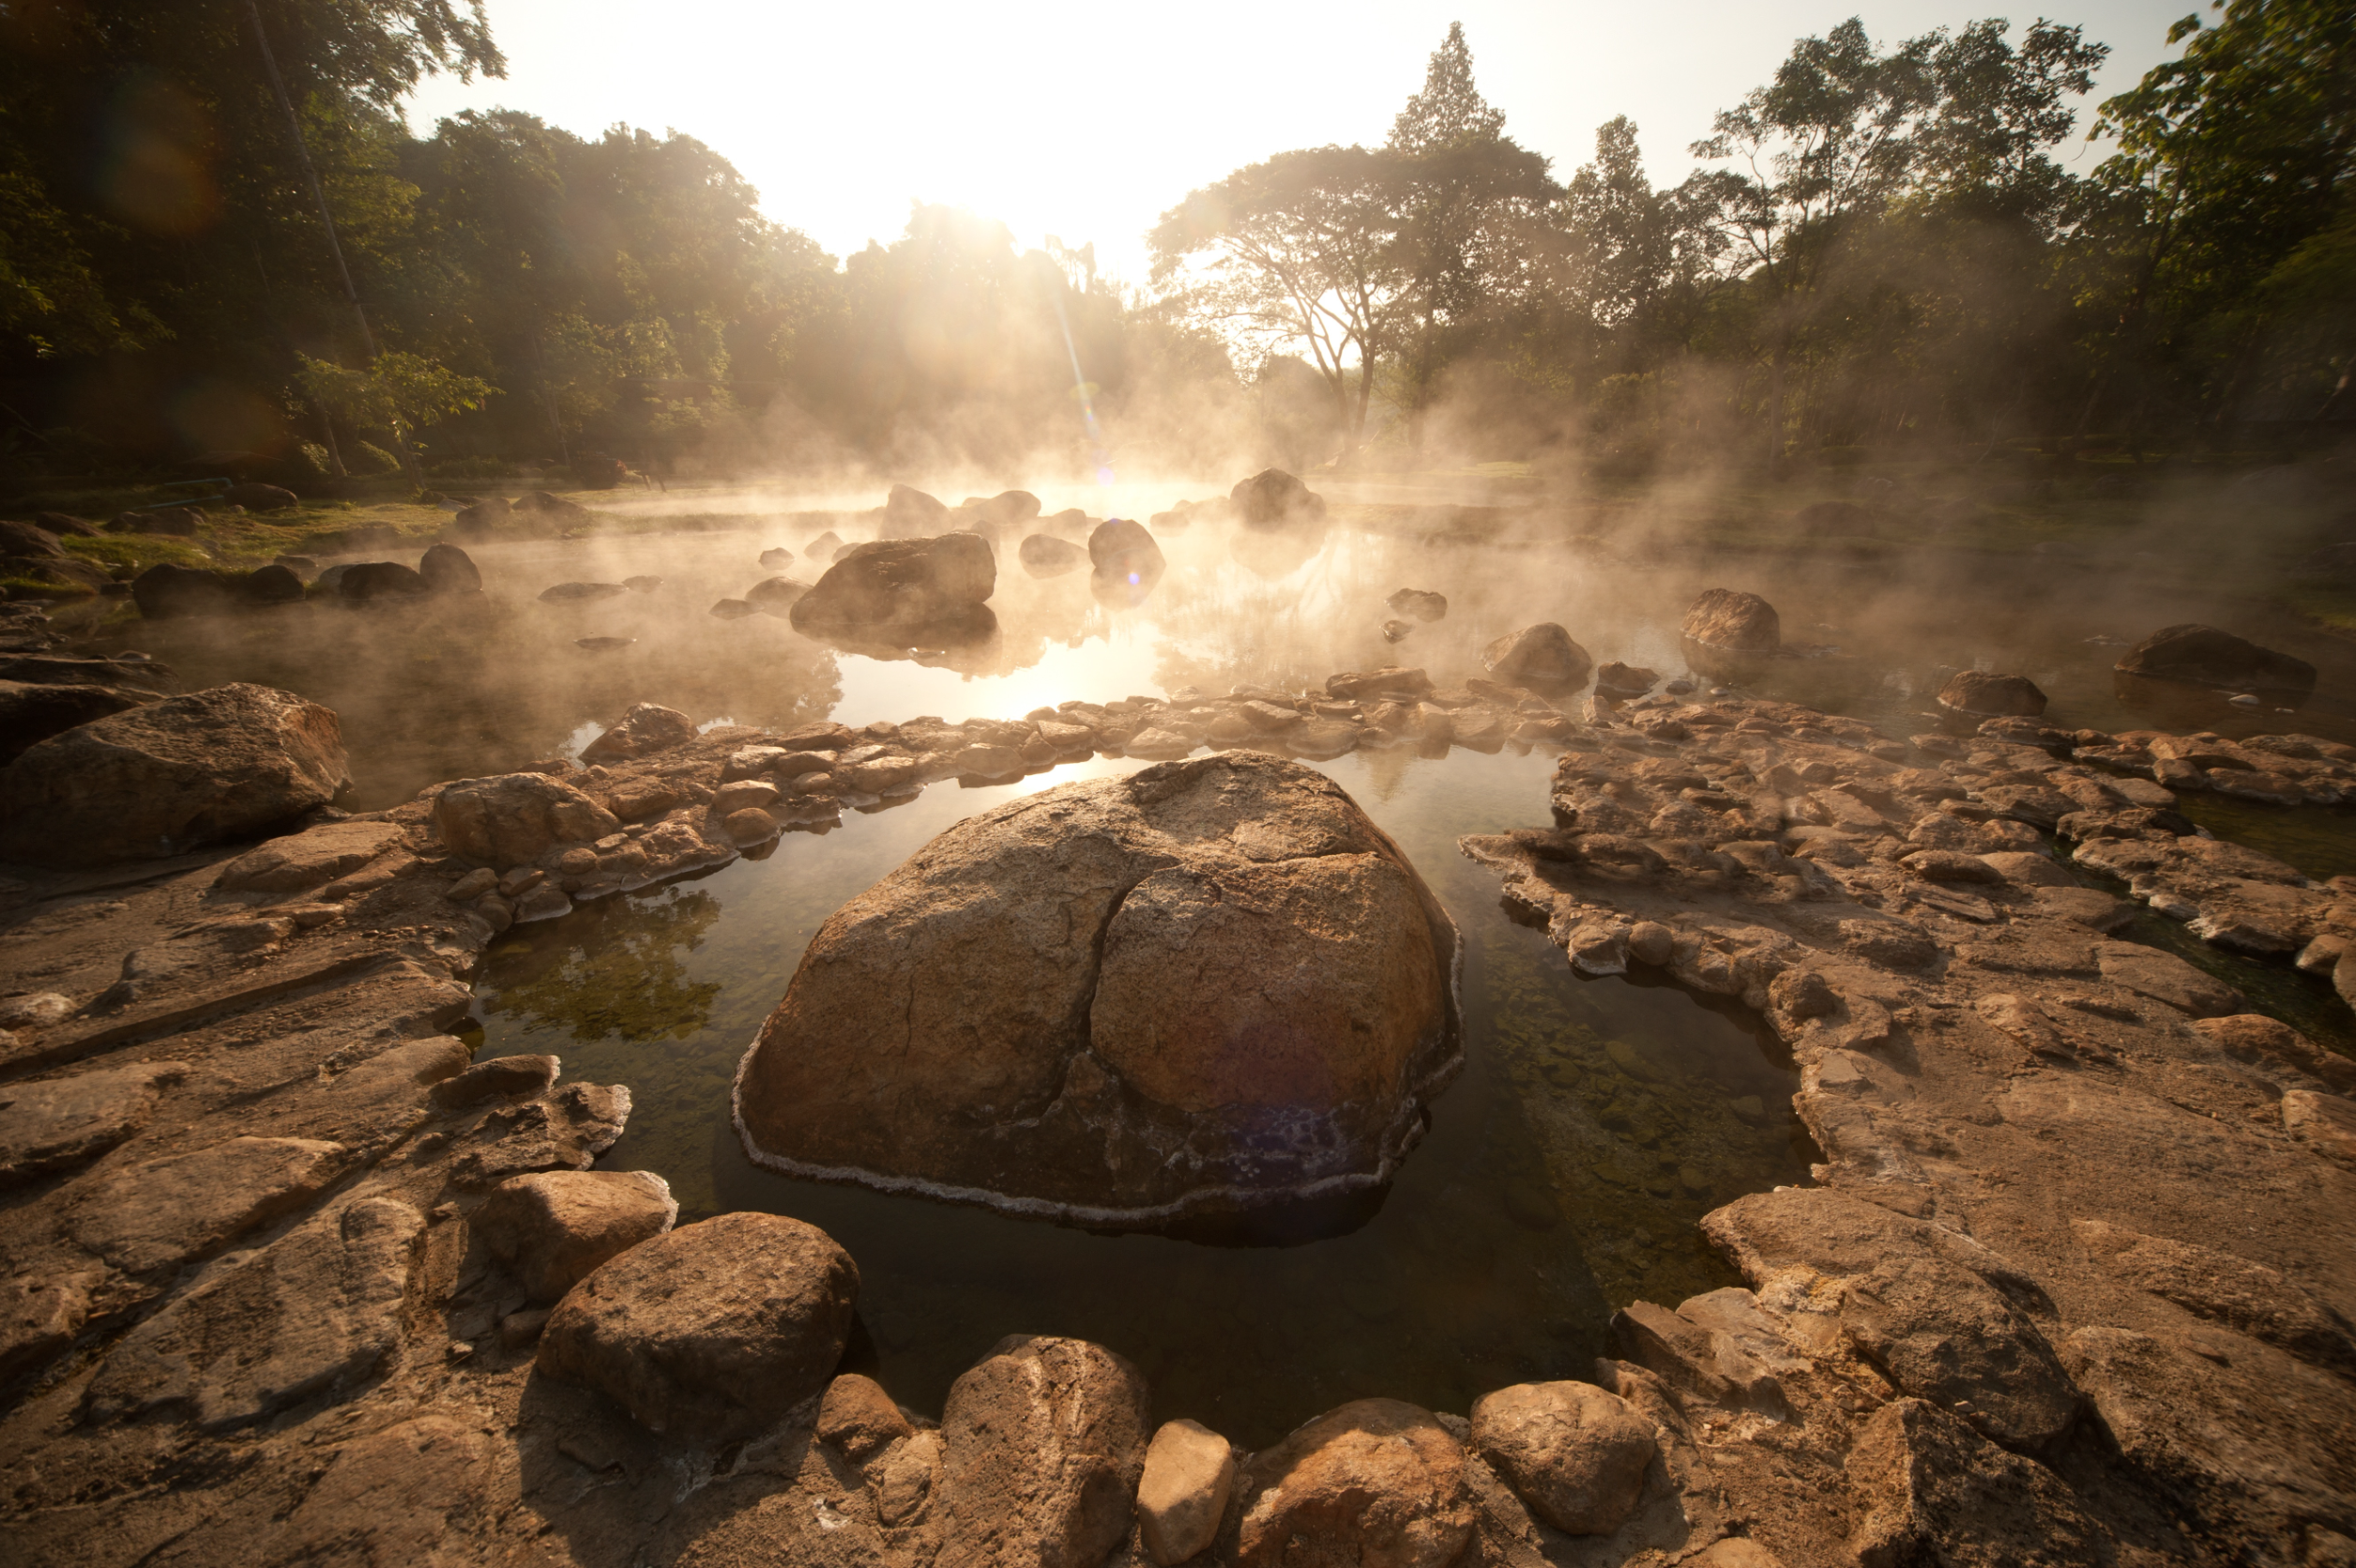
(2074, 1282)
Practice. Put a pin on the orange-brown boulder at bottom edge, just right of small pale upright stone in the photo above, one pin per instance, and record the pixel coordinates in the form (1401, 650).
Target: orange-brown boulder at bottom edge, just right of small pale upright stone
(1377, 1482)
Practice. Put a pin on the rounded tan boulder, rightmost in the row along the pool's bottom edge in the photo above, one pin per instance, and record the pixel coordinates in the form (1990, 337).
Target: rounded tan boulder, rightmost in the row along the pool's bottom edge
(1575, 1454)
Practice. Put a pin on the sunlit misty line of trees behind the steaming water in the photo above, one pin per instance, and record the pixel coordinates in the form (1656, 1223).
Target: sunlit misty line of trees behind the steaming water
(220, 237)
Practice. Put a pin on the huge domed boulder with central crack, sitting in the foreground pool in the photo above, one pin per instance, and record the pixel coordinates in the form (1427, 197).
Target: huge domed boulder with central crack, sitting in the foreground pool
(1205, 987)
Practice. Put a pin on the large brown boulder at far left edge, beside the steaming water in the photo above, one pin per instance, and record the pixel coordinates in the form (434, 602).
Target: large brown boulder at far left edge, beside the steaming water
(209, 767)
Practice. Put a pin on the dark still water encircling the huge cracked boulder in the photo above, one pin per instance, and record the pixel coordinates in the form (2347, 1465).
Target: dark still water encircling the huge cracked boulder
(1594, 1126)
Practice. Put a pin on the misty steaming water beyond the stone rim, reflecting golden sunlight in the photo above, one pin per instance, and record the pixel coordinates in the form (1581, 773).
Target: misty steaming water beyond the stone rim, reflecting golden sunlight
(456, 690)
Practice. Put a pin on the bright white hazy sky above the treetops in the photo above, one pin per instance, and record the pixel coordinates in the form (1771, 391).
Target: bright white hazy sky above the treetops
(1092, 121)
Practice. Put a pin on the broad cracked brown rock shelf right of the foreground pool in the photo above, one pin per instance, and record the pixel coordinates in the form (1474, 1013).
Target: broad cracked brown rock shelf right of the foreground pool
(2072, 1286)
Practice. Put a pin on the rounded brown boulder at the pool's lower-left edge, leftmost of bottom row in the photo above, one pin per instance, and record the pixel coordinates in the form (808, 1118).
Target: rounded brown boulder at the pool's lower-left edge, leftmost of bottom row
(713, 1331)
